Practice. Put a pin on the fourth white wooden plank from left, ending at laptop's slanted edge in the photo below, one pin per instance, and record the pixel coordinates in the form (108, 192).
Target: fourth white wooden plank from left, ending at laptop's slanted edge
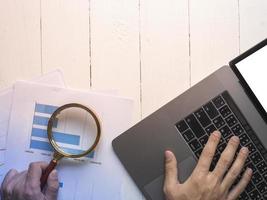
(164, 52)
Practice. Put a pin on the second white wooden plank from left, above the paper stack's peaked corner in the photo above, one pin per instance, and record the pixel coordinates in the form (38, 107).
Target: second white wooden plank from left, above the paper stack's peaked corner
(65, 39)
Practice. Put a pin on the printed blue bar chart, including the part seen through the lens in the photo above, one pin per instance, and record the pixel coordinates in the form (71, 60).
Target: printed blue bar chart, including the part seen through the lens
(74, 130)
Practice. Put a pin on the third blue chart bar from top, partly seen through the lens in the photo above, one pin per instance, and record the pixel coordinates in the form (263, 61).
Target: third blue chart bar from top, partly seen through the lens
(58, 137)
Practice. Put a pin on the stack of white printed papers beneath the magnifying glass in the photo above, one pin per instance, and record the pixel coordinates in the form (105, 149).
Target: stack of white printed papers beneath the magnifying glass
(98, 177)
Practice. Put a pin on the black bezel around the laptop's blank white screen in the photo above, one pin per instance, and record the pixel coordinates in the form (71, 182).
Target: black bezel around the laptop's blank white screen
(242, 80)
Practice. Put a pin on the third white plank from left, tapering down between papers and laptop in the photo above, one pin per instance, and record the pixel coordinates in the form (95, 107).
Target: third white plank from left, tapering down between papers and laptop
(115, 48)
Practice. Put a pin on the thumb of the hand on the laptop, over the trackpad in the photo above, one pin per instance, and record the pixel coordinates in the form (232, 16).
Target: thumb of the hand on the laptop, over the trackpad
(171, 171)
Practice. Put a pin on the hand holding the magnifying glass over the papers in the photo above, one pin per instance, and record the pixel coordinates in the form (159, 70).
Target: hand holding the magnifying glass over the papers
(26, 185)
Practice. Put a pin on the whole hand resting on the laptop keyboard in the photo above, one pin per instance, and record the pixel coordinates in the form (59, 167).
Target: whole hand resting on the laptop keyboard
(206, 185)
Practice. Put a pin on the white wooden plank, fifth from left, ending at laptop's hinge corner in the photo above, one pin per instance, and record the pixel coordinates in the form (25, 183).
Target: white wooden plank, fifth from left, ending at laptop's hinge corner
(214, 35)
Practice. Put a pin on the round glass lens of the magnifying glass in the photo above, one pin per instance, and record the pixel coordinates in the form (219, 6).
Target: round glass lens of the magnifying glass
(74, 132)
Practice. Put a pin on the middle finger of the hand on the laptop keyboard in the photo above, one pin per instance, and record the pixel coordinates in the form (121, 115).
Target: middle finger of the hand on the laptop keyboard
(227, 157)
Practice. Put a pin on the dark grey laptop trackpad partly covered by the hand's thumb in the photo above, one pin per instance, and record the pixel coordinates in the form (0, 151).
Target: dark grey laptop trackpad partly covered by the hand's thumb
(155, 188)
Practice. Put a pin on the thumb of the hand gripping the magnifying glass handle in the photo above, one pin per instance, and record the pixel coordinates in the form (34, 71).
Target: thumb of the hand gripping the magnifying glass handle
(52, 186)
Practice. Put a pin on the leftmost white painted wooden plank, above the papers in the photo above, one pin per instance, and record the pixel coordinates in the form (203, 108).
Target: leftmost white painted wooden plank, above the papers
(19, 40)
